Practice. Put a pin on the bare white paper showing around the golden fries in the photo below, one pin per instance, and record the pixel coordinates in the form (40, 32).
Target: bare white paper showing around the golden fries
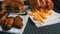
(53, 19)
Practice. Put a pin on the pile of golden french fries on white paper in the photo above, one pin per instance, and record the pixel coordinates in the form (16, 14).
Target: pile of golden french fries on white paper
(40, 15)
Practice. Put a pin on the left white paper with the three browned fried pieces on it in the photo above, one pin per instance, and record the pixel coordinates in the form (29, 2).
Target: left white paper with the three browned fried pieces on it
(13, 23)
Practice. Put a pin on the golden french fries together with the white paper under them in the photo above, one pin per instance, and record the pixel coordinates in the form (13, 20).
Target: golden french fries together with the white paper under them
(43, 19)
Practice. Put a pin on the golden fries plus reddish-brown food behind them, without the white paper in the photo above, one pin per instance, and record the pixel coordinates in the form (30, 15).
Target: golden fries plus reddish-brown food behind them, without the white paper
(41, 9)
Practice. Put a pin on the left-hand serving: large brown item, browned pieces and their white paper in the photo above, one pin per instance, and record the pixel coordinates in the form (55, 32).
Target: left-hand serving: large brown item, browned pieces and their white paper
(13, 17)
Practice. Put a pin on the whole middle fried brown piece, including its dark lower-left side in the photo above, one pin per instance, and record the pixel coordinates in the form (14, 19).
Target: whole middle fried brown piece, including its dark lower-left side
(7, 24)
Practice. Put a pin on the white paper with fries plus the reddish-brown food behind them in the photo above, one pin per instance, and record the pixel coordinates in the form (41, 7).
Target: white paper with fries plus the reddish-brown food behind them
(42, 12)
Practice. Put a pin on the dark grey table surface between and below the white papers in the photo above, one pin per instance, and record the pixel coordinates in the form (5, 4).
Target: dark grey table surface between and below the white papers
(32, 29)
